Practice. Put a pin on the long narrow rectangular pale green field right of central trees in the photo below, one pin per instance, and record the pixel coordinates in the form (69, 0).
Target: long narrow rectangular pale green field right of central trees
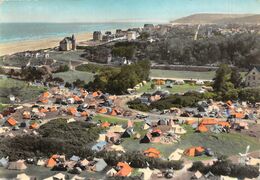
(209, 75)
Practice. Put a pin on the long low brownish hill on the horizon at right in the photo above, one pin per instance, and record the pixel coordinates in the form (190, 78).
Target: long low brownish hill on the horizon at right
(219, 19)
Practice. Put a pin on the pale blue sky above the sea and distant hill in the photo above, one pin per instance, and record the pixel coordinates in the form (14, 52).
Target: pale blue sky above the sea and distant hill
(117, 10)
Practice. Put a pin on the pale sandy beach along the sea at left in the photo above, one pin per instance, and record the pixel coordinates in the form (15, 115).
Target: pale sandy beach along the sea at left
(14, 47)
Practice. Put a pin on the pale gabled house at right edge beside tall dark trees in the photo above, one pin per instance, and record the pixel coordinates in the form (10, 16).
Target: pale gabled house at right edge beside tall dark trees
(252, 78)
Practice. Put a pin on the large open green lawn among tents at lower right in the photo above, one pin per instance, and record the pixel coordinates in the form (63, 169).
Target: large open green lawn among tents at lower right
(223, 143)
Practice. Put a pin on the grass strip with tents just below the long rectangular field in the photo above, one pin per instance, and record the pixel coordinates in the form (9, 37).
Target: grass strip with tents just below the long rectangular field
(175, 89)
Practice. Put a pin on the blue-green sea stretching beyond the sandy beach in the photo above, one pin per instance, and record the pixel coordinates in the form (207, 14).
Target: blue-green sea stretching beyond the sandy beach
(14, 32)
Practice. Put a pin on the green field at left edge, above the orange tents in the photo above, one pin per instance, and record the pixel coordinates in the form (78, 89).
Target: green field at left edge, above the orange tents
(20, 89)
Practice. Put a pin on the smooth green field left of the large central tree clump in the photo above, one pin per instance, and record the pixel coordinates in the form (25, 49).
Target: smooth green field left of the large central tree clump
(71, 76)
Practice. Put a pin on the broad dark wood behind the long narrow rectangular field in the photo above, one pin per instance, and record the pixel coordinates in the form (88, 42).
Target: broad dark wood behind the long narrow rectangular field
(241, 50)
